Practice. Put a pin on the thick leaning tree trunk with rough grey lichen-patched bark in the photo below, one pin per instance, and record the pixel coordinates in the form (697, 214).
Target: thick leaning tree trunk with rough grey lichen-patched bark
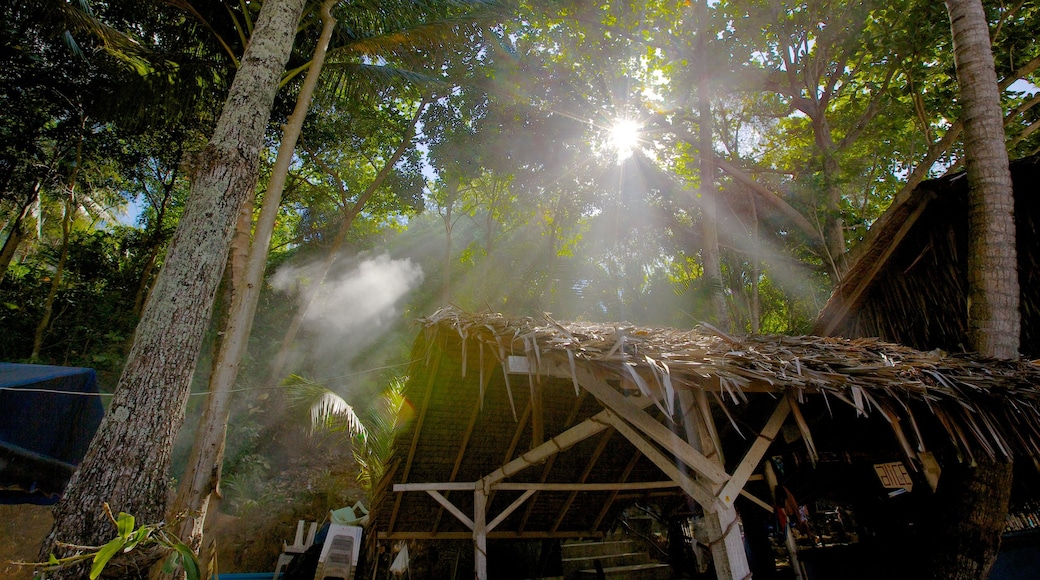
(127, 463)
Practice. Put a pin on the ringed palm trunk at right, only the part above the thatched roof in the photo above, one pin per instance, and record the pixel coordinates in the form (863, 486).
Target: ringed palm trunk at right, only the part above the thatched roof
(994, 319)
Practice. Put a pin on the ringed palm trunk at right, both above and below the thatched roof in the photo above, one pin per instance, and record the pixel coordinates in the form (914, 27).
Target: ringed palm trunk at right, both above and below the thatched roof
(979, 494)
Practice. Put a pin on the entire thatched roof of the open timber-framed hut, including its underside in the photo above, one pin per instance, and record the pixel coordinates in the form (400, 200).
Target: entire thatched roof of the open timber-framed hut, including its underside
(541, 414)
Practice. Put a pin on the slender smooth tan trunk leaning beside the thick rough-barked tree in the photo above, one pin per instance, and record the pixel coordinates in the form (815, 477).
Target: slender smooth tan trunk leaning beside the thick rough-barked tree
(206, 460)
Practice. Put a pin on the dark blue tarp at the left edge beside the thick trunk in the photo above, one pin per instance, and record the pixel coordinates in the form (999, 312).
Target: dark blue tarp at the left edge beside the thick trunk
(48, 417)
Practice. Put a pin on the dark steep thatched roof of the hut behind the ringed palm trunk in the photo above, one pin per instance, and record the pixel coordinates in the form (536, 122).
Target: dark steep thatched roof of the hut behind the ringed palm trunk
(907, 280)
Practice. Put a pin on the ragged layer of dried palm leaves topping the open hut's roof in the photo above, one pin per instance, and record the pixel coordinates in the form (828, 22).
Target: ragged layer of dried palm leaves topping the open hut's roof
(986, 406)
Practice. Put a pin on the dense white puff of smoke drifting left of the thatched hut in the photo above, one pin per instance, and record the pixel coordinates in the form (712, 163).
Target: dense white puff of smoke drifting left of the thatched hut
(352, 310)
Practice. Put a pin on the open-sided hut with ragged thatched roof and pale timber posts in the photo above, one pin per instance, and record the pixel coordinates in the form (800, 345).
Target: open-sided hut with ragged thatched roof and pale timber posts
(532, 430)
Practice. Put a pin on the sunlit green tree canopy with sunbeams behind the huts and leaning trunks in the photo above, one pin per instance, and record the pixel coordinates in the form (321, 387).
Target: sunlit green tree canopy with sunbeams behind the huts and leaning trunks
(599, 162)
